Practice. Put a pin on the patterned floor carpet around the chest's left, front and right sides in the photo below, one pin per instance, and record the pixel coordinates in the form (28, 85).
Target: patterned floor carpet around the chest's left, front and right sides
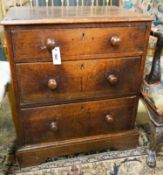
(106, 162)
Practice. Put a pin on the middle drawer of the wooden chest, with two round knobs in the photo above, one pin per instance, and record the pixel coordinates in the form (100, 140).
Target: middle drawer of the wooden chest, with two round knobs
(42, 83)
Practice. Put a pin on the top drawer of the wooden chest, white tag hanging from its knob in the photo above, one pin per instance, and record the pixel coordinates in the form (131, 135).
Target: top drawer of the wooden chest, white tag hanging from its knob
(36, 44)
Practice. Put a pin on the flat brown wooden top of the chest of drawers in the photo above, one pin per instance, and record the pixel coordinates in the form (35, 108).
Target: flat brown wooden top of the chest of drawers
(63, 15)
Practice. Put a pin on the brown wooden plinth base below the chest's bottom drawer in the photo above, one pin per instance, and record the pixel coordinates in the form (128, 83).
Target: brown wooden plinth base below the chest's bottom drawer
(39, 153)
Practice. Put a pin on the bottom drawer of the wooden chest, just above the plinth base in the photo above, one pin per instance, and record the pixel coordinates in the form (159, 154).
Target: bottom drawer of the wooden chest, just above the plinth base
(75, 120)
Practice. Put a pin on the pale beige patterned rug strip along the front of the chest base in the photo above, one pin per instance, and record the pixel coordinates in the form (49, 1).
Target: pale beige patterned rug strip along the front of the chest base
(131, 162)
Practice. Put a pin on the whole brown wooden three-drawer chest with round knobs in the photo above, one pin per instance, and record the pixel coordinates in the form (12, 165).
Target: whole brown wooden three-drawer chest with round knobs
(89, 101)
